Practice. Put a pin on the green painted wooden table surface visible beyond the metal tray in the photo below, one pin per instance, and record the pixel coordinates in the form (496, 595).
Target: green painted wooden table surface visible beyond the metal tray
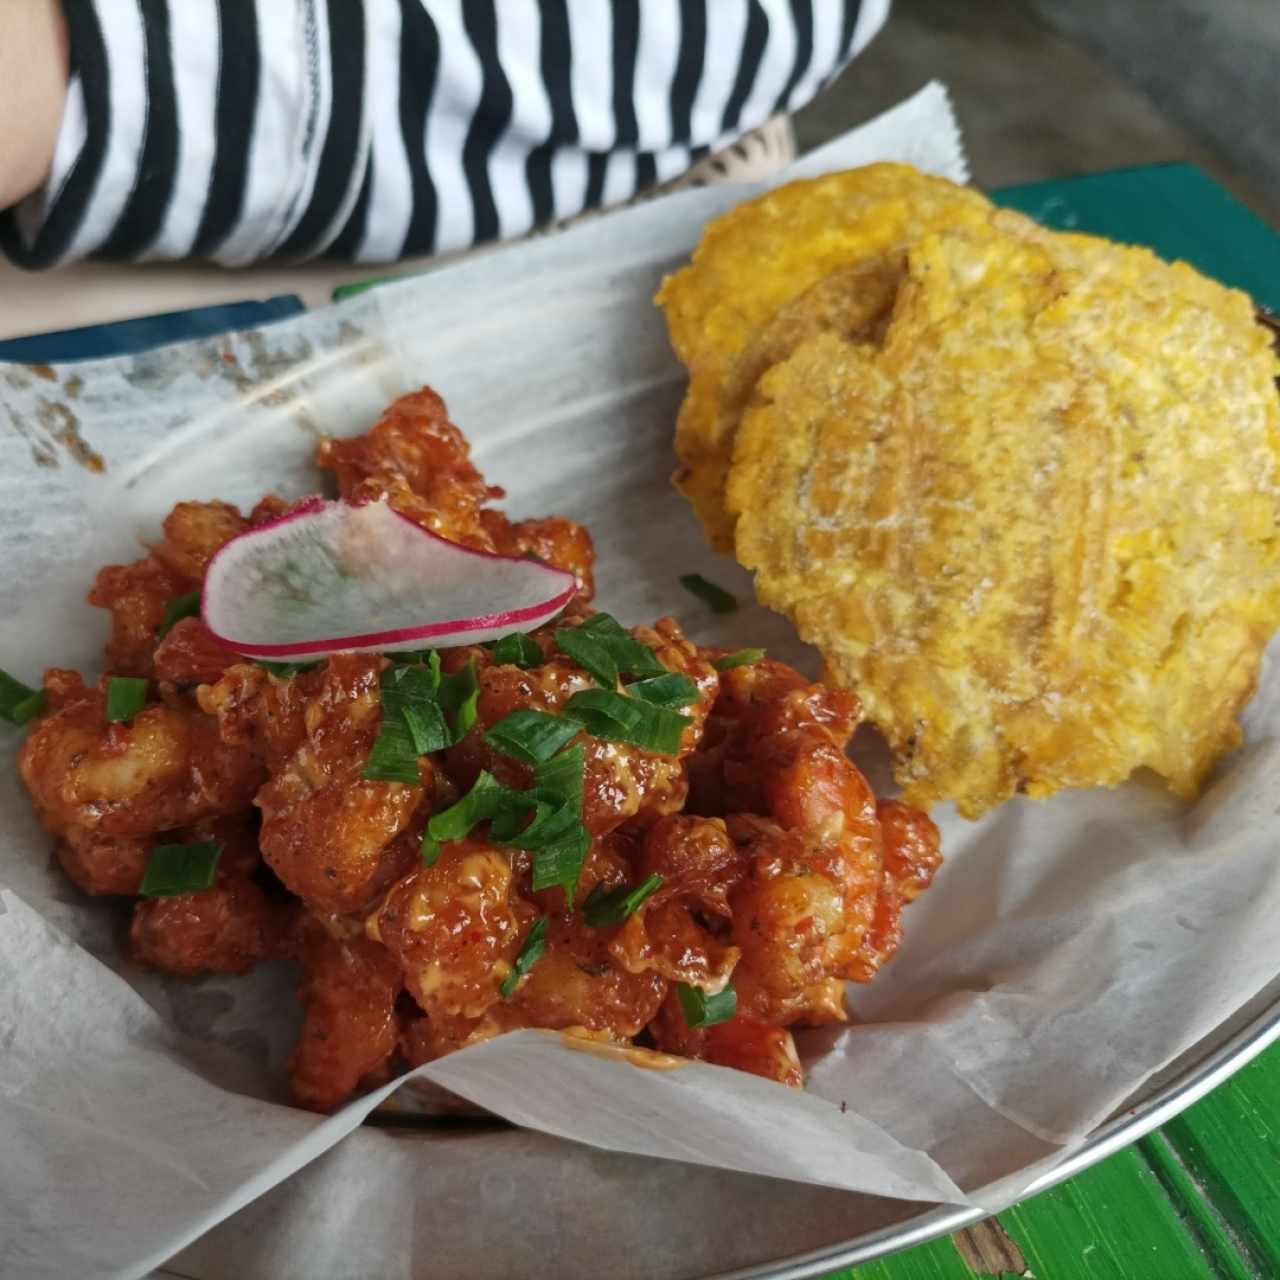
(1200, 1199)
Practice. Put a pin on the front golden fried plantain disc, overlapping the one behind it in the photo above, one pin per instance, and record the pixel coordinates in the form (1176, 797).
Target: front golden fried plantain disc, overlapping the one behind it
(1035, 527)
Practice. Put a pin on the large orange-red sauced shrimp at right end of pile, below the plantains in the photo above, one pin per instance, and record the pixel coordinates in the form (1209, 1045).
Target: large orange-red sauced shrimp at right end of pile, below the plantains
(817, 904)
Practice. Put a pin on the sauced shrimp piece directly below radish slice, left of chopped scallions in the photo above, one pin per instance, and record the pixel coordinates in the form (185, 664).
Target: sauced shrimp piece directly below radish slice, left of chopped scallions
(330, 834)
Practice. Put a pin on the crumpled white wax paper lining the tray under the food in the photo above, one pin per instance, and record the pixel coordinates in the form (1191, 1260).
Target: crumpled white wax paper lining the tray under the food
(1067, 952)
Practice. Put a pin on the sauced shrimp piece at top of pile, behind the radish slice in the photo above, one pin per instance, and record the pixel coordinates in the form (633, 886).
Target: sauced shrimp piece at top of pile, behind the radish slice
(420, 463)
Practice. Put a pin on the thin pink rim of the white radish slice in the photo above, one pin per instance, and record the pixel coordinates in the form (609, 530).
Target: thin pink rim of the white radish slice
(478, 623)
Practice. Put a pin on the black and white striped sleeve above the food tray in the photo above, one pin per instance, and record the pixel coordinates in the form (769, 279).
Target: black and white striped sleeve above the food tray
(374, 130)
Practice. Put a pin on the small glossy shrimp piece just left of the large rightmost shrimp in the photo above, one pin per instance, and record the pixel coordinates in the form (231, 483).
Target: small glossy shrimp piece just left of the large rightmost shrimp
(680, 931)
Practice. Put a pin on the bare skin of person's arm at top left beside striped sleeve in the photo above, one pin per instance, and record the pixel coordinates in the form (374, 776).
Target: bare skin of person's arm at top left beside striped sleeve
(33, 92)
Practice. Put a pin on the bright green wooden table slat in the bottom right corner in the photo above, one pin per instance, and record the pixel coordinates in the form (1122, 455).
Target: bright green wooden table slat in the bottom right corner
(1231, 1145)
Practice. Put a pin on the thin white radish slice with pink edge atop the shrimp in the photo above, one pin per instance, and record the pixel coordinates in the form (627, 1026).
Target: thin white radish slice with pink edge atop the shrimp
(330, 577)
